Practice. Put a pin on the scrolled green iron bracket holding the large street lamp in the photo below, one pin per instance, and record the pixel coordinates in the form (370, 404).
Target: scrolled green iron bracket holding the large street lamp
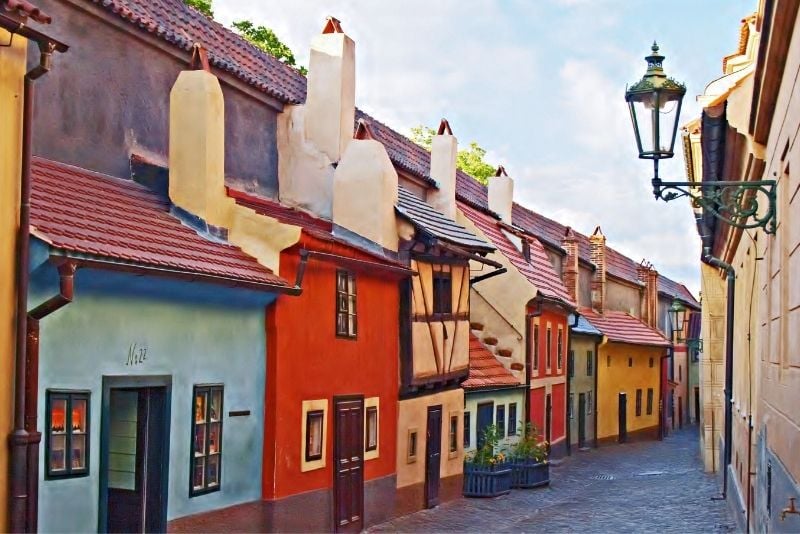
(734, 202)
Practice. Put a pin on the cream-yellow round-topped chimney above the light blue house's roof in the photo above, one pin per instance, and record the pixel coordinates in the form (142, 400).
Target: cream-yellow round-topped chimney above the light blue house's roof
(197, 143)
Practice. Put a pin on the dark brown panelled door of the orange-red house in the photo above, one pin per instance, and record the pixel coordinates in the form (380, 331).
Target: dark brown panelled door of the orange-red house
(348, 450)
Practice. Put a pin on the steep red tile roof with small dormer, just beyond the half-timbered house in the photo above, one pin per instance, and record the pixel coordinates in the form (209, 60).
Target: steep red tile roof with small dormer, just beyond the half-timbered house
(539, 271)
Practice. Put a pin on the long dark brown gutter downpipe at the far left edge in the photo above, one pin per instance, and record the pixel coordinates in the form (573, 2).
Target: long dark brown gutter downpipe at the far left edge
(24, 445)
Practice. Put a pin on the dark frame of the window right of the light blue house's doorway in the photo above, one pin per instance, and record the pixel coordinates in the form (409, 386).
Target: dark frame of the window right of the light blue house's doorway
(209, 389)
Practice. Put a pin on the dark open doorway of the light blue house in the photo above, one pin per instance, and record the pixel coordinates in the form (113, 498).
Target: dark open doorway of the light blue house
(135, 460)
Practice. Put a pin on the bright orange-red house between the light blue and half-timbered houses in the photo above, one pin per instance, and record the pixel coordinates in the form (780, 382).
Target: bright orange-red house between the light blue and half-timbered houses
(332, 381)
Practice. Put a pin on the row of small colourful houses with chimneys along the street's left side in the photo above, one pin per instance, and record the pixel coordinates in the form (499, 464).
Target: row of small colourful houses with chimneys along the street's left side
(250, 305)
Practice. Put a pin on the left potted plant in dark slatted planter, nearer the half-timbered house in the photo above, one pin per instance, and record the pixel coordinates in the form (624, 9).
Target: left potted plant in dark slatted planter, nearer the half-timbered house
(487, 472)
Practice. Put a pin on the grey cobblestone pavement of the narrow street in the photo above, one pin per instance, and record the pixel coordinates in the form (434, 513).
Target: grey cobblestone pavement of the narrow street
(656, 486)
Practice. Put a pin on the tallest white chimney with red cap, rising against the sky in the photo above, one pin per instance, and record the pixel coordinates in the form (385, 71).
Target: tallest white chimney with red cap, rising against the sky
(331, 94)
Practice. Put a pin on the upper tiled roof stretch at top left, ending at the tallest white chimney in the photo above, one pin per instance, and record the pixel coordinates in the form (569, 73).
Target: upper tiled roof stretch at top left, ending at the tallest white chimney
(182, 26)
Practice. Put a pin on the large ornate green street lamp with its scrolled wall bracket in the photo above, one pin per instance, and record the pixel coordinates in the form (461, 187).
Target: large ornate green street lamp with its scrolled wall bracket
(654, 103)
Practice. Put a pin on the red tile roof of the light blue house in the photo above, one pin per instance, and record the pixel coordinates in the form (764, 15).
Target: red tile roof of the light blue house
(85, 212)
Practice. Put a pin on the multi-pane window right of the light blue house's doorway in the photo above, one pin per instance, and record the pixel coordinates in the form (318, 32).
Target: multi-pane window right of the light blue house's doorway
(206, 459)
